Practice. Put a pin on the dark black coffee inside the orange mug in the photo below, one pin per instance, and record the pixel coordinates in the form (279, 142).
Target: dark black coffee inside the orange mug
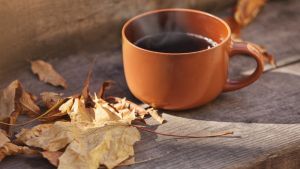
(175, 42)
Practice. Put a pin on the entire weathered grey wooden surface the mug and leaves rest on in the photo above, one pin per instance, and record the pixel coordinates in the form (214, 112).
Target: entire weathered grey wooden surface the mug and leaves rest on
(266, 114)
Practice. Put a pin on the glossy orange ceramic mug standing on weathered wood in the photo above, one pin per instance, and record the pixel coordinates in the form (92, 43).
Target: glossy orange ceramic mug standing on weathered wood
(177, 81)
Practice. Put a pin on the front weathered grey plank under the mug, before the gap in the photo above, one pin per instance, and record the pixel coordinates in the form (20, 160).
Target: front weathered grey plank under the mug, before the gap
(265, 114)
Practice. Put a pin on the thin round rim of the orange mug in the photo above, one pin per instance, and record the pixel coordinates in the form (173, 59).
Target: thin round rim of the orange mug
(127, 23)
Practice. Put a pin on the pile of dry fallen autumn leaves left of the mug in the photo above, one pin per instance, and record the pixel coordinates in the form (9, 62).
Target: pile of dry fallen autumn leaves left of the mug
(79, 131)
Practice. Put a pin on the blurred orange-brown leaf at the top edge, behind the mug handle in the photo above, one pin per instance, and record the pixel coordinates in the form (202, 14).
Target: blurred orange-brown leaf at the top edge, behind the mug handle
(247, 10)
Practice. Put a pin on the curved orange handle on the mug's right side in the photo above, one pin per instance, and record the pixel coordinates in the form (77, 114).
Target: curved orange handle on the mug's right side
(249, 50)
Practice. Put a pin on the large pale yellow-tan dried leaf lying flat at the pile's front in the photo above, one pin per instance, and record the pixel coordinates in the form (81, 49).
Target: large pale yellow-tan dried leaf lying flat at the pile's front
(108, 145)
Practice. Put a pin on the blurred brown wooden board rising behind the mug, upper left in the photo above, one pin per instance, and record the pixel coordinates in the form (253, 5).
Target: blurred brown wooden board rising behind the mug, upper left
(43, 28)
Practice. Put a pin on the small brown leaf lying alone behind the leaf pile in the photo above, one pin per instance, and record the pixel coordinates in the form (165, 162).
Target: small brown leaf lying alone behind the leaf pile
(46, 73)
